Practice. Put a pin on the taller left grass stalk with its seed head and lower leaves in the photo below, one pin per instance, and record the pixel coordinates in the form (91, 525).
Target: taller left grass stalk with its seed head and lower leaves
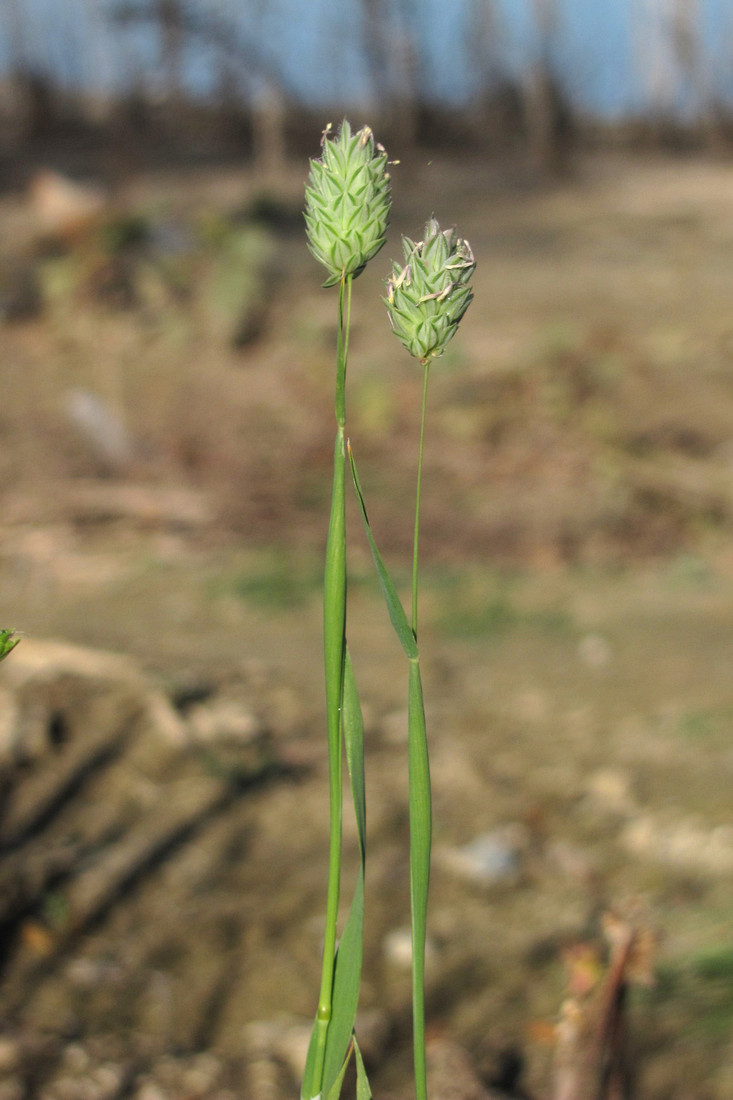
(347, 216)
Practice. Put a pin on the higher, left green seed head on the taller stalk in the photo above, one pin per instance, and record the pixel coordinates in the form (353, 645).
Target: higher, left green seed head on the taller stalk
(348, 203)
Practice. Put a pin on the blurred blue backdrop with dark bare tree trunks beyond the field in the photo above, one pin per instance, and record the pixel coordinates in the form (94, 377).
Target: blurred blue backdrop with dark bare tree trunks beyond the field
(480, 73)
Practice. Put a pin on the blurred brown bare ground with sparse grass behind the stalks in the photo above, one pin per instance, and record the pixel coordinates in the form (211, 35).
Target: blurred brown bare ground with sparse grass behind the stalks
(577, 620)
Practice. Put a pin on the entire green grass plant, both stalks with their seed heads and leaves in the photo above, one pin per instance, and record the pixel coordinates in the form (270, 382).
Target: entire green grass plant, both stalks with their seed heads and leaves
(348, 201)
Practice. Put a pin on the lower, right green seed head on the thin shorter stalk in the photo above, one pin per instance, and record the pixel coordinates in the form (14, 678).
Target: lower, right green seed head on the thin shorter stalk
(429, 296)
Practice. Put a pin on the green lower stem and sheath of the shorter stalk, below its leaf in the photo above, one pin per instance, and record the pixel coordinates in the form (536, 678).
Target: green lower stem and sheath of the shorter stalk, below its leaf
(421, 830)
